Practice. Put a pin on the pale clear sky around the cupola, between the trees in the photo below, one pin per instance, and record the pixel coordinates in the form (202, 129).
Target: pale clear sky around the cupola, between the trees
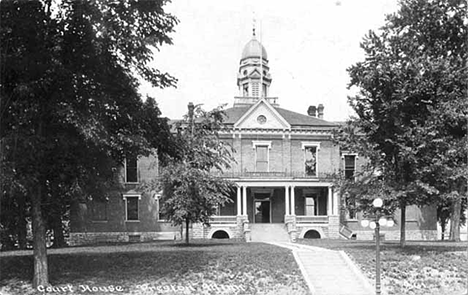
(310, 44)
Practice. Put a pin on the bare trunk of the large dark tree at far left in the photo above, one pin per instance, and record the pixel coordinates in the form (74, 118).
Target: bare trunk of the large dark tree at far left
(41, 273)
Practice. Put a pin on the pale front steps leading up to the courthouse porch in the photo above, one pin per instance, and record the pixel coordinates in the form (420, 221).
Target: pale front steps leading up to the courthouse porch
(269, 232)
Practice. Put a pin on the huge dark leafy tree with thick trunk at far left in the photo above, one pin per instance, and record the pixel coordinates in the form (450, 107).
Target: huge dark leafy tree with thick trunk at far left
(70, 109)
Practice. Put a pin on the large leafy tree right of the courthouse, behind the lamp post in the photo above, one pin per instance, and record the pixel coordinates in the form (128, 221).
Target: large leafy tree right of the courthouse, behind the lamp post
(411, 105)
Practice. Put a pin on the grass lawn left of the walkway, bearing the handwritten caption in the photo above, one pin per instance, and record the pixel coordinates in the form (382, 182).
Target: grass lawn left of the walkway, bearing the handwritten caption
(205, 267)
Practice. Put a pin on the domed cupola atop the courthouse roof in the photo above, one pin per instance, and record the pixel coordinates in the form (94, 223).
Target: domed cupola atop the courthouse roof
(254, 77)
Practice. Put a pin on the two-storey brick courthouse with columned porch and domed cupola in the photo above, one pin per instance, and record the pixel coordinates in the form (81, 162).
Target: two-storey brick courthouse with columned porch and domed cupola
(285, 163)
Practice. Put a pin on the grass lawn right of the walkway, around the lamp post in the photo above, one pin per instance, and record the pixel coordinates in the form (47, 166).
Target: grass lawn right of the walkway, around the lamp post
(421, 268)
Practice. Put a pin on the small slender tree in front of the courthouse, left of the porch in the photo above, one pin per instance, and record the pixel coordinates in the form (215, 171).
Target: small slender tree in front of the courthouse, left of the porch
(192, 192)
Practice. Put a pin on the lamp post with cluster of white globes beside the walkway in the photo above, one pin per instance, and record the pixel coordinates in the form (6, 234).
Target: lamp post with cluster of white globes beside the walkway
(377, 219)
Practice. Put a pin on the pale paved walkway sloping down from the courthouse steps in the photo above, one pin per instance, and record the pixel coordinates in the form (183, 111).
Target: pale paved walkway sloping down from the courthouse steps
(329, 272)
